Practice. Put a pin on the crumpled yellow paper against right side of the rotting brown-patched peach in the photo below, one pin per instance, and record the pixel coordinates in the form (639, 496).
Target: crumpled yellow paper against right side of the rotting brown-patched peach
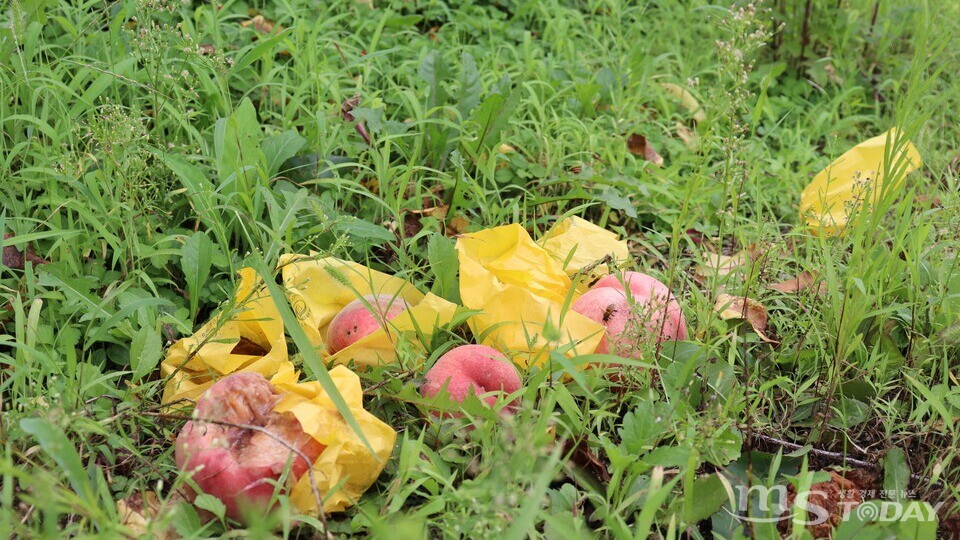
(346, 458)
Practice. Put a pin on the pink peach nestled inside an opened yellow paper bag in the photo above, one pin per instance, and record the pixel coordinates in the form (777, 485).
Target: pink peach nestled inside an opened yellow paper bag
(361, 318)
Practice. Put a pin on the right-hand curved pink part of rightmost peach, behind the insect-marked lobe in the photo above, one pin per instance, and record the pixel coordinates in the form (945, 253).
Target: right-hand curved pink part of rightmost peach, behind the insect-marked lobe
(659, 302)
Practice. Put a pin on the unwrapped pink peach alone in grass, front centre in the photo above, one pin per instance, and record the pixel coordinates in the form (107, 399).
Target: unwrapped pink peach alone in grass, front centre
(476, 369)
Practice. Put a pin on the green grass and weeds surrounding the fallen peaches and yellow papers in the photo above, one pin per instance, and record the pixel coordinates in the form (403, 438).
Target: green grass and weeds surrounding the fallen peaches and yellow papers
(151, 148)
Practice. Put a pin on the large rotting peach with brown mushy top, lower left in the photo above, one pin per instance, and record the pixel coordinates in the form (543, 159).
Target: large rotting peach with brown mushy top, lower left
(236, 464)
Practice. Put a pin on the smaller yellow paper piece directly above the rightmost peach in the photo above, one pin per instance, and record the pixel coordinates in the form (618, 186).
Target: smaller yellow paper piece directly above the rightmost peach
(576, 244)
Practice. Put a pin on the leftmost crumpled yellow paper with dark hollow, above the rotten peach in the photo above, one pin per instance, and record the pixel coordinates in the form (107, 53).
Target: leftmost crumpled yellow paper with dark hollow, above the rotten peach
(251, 340)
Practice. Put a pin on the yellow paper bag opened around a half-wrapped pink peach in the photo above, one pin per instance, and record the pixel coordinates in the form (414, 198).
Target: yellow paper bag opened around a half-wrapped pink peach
(318, 288)
